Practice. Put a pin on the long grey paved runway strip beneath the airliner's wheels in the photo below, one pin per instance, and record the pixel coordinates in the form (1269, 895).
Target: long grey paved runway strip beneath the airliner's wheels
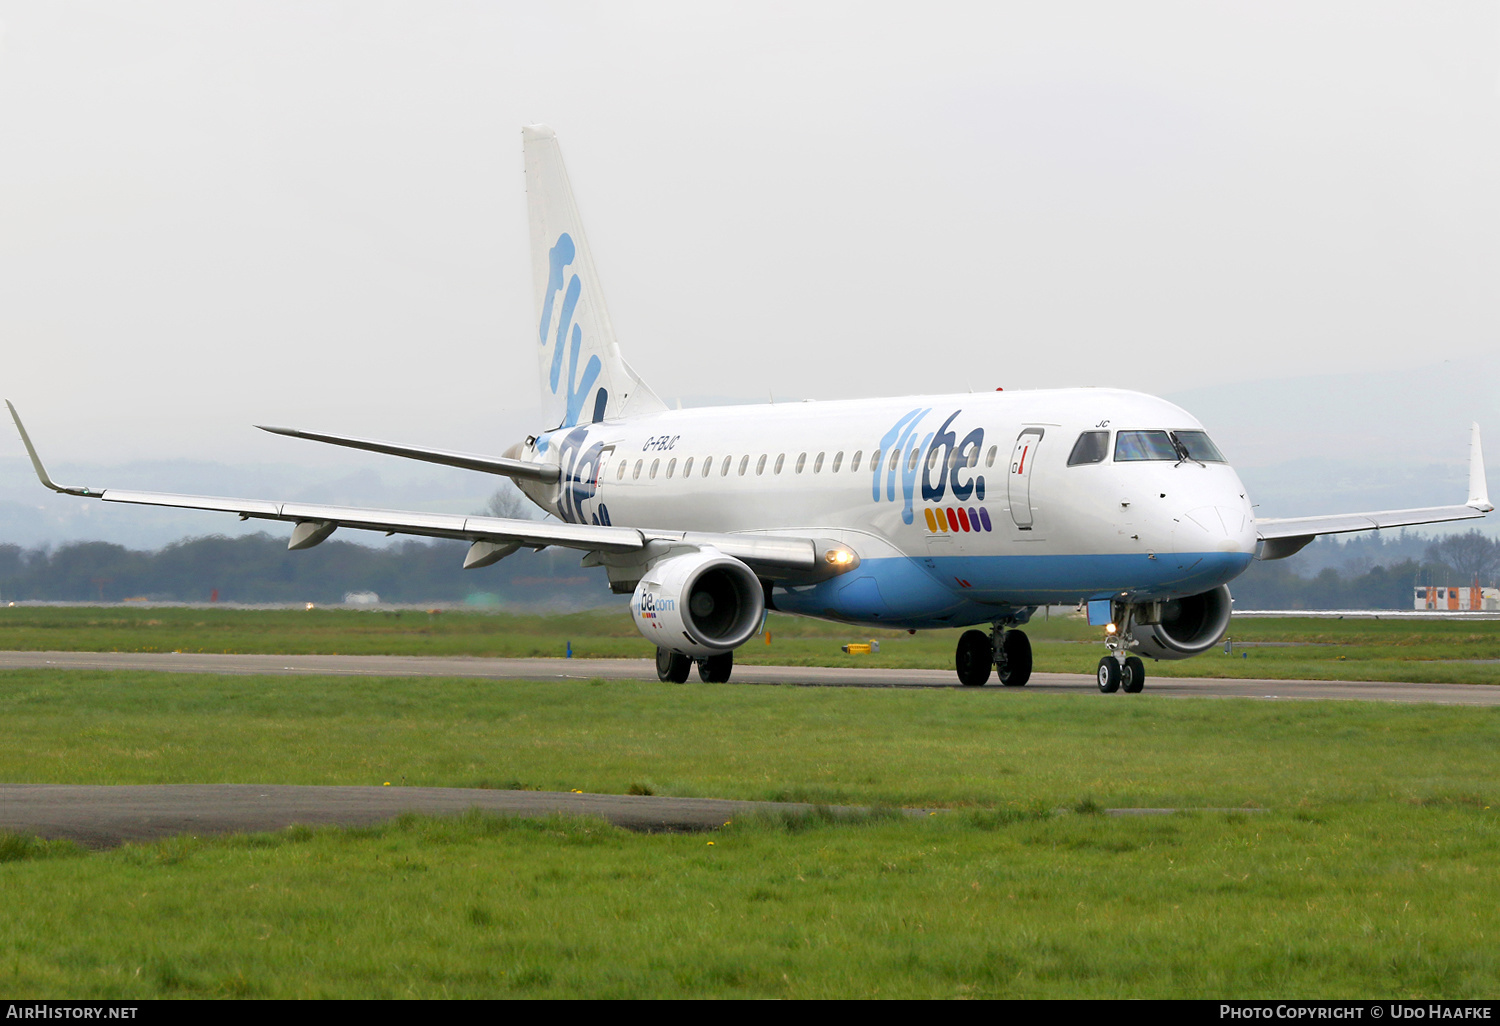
(644, 670)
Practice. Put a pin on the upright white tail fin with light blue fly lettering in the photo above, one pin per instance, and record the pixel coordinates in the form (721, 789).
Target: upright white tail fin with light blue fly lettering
(584, 379)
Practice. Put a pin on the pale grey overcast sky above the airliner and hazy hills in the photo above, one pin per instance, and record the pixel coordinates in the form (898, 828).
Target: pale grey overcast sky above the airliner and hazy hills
(313, 214)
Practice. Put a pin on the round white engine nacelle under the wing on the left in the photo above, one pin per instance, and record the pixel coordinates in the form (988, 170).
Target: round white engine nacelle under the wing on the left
(701, 604)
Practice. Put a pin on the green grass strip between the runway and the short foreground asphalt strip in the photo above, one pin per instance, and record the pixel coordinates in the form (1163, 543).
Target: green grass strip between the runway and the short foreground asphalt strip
(838, 746)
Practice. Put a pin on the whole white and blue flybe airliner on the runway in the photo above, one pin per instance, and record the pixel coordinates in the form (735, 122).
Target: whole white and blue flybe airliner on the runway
(917, 514)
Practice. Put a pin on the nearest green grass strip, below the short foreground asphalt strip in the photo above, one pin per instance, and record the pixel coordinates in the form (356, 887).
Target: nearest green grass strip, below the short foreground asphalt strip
(1330, 904)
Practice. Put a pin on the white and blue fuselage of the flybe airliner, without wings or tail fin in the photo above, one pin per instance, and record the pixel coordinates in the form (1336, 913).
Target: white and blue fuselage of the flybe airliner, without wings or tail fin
(970, 511)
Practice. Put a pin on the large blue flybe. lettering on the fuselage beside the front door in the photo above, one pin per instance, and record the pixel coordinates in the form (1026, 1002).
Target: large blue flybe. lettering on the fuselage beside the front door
(944, 464)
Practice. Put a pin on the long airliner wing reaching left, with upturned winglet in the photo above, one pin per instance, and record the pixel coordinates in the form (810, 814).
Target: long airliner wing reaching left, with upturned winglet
(491, 538)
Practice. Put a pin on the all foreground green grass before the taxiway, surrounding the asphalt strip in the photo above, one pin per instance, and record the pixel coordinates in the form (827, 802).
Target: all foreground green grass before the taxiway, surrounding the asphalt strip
(1373, 868)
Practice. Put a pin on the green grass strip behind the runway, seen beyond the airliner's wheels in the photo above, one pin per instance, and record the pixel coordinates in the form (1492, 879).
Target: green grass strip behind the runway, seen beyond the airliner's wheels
(1370, 650)
